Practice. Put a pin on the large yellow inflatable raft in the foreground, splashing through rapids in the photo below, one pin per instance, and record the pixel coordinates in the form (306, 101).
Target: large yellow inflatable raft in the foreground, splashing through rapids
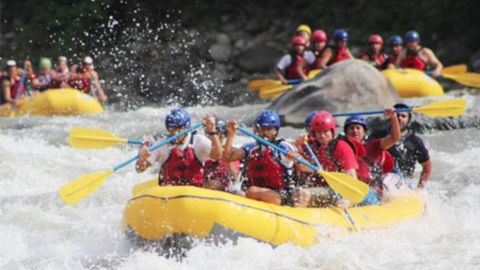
(161, 212)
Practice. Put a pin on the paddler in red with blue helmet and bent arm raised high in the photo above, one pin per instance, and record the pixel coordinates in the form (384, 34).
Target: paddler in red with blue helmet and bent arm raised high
(376, 162)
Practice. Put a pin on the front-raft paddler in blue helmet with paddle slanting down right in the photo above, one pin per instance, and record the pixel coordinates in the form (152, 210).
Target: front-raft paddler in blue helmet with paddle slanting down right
(268, 173)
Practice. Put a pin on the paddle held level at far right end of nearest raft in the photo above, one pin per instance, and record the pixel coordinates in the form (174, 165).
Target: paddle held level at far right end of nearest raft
(442, 108)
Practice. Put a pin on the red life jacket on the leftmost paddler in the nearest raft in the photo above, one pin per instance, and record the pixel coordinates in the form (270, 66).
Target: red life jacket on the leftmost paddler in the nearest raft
(182, 168)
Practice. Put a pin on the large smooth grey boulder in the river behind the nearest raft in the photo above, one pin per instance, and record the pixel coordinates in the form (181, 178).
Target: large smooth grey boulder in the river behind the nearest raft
(347, 86)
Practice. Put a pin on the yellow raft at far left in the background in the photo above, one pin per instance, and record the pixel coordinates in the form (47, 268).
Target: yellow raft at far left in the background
(55, 102)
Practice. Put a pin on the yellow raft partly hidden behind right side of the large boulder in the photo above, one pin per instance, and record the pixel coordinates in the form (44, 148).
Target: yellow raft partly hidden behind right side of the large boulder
(413, 83)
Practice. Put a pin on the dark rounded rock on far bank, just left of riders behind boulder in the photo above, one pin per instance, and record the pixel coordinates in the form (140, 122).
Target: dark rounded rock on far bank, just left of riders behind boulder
(258, 59)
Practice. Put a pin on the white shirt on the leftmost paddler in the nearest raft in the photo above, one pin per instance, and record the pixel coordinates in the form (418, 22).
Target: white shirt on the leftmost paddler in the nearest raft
(202, 147)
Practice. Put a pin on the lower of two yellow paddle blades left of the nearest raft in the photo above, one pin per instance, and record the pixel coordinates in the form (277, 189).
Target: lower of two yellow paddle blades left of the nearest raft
(80, 188)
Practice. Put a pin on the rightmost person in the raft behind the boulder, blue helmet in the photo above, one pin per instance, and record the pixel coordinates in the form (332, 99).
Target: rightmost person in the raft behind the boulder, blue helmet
(418, 57)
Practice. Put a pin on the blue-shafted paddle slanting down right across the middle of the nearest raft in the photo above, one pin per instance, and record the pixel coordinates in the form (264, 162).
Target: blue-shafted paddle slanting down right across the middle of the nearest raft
(349, 187)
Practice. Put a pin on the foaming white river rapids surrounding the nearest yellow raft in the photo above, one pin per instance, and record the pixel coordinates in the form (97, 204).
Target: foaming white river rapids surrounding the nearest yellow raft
(39, 232)
